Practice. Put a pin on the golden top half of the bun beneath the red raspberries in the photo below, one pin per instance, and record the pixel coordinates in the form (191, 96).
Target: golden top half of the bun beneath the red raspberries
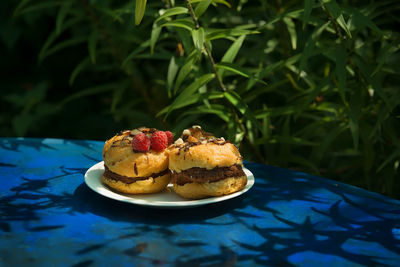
(119, 156)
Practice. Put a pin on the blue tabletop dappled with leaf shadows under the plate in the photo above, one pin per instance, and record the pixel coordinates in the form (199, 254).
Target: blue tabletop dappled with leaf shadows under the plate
(49, 217)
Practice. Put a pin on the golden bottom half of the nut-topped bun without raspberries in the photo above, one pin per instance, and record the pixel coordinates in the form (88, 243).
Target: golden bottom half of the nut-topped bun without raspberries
(214, 189)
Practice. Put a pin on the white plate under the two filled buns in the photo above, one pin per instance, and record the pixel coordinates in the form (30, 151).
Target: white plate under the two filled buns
(166, 199)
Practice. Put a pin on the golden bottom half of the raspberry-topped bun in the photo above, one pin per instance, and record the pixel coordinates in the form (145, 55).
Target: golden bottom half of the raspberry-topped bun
(147, 186)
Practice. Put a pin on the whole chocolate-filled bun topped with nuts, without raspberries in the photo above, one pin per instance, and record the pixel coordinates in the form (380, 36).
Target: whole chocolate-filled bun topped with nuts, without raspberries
(204, 166)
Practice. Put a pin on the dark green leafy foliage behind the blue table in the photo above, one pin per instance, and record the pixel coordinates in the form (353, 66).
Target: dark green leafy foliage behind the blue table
(308, 85)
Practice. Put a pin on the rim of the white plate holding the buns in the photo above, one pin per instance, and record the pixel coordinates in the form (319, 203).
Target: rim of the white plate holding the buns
(185, 203)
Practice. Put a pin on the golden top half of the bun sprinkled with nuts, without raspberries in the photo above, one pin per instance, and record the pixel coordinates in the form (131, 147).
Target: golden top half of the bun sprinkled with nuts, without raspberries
(205, 151)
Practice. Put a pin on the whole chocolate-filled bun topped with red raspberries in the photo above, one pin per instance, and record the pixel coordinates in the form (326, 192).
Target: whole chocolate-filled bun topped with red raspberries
(136, 161)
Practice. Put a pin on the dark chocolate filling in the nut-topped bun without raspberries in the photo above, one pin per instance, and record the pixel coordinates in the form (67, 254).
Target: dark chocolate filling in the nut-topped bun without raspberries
(202, 175)
